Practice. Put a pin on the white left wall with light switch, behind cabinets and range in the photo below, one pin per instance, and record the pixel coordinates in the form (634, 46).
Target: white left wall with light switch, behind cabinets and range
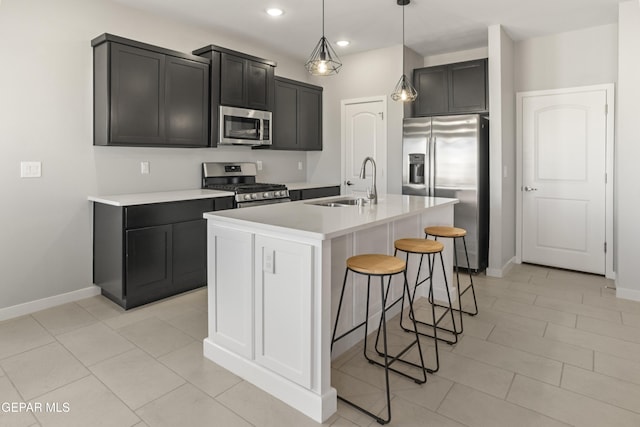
(46, 115)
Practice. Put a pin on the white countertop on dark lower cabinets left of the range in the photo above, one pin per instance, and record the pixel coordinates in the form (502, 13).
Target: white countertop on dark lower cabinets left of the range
(159, 197)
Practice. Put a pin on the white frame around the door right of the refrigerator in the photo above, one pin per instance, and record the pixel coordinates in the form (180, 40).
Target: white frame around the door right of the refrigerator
(609, 88)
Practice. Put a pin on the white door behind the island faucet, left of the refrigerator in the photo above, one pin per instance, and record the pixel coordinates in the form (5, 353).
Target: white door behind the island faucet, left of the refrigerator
(363, 134)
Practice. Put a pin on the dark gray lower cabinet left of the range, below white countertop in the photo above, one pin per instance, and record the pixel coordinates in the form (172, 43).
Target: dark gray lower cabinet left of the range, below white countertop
(147, 252)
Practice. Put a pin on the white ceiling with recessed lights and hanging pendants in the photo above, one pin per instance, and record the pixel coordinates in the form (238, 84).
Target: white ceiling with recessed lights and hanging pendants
(432, 26)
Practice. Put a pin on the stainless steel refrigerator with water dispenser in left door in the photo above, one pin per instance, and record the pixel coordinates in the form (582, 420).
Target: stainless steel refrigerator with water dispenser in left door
(448, 156)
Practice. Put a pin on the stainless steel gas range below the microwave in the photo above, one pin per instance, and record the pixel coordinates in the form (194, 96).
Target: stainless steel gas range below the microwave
(240, 178)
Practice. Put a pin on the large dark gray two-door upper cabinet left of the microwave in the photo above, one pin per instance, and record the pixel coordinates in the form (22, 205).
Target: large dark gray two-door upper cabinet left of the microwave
(148, 96)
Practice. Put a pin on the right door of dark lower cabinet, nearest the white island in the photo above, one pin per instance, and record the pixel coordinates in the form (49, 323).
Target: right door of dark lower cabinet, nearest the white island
(189, 255)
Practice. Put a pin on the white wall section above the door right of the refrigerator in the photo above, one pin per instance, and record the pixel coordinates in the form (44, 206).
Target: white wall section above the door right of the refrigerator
(576, 58)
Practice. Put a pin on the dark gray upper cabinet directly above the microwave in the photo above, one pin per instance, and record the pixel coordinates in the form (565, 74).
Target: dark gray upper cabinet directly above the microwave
(237, 80)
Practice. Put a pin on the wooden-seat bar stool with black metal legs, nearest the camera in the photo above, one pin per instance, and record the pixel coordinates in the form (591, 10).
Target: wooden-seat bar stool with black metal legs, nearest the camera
(381, 266)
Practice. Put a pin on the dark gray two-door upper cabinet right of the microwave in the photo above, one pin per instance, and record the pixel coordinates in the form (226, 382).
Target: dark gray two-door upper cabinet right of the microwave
(297, 116)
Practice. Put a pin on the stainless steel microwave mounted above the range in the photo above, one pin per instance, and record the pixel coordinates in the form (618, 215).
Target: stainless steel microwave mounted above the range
(241, 126)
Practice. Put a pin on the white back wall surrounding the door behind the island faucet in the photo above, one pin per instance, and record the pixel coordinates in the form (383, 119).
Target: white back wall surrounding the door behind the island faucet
(373, 73)
